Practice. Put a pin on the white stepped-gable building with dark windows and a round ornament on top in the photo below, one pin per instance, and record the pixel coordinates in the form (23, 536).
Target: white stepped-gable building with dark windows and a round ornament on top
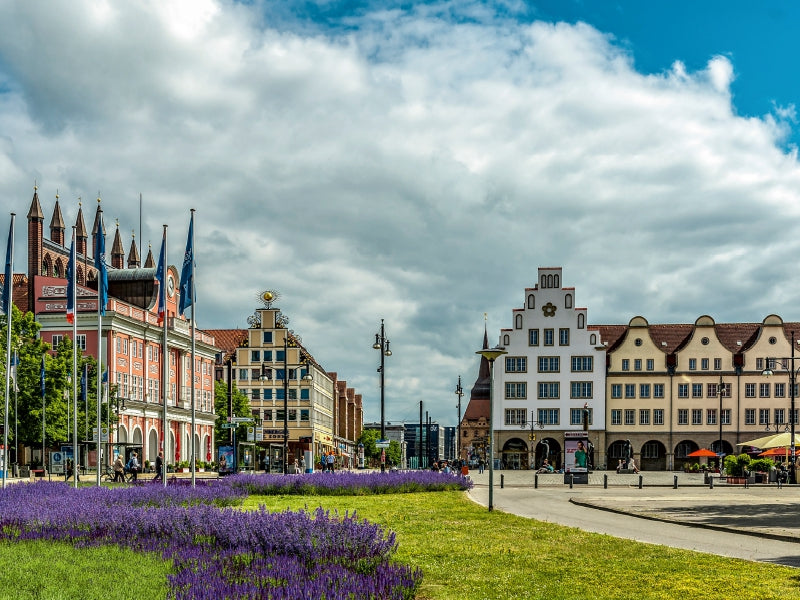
(554, 370)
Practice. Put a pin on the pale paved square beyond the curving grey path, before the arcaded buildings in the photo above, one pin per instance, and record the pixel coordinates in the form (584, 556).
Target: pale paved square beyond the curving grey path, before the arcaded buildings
(762, 510)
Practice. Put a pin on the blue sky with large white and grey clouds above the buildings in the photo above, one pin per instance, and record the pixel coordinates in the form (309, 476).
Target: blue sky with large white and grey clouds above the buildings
(418, 161)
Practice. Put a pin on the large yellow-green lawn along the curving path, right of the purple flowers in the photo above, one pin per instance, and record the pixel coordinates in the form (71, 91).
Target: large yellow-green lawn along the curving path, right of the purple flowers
(467, 552)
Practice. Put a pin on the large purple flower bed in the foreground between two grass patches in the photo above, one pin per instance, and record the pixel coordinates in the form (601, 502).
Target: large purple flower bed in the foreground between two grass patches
(218, 552)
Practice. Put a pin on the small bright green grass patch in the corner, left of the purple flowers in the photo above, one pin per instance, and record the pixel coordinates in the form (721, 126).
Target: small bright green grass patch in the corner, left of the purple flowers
(45, 570)
